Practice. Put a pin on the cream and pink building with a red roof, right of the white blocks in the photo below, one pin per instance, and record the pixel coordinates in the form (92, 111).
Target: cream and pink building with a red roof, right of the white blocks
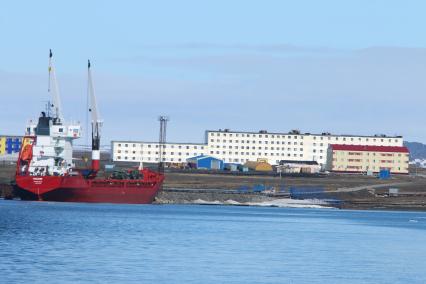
(365, 158)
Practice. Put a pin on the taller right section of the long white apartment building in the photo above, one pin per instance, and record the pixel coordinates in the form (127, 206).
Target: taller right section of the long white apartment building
(239, 147)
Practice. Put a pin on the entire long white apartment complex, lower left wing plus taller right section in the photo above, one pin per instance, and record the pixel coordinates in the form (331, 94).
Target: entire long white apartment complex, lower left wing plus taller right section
(239, 147)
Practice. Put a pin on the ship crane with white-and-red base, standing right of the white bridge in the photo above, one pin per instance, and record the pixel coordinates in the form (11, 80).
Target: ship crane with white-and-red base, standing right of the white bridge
(96, 122)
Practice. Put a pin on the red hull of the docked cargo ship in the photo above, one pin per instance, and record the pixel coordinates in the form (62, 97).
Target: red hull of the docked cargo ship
(80, 189)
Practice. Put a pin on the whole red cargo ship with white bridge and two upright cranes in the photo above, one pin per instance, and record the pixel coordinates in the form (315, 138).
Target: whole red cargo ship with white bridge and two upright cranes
(45, 169)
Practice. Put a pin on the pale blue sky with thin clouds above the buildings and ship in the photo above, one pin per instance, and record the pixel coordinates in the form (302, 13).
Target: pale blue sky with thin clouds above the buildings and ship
(345, 67)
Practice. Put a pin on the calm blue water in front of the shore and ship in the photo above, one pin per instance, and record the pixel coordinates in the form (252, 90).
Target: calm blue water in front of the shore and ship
(74, 243)
